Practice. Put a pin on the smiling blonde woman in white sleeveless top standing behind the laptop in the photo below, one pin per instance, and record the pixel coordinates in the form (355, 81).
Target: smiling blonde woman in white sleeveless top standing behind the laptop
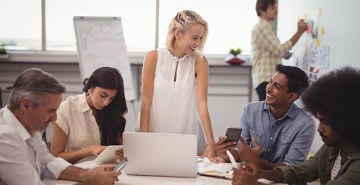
(175, 82)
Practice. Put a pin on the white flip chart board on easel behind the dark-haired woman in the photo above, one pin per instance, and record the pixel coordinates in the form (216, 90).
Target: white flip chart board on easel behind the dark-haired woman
(101, 43)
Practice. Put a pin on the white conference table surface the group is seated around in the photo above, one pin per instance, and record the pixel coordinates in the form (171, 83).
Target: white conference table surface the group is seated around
(155, 180)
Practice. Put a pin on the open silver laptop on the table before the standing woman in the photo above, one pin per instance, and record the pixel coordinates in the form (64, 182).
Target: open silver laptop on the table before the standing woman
(160, 154)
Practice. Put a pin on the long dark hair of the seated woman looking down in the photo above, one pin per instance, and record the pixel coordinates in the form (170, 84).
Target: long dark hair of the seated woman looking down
(110, 119)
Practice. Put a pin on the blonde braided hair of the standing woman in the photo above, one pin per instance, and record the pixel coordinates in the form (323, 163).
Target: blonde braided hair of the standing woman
(182, 22)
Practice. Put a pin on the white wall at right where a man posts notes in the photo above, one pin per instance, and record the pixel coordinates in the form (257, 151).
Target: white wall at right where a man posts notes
(341, 31)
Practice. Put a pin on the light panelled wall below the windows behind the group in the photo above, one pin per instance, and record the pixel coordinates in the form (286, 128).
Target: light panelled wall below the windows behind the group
(228, 87)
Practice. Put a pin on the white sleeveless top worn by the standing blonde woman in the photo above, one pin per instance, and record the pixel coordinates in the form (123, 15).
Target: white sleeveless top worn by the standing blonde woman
(173, 108)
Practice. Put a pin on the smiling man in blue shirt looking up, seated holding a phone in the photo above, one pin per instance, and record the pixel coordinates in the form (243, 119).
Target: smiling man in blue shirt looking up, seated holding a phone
(278, 130)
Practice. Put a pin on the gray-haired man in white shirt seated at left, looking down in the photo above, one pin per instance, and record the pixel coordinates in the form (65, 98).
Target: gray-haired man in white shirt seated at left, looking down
(24, 157)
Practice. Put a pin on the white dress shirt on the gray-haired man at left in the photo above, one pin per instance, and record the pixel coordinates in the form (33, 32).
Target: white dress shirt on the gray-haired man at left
(24, 157)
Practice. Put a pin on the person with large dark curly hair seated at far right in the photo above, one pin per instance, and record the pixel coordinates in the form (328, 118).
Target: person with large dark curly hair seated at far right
(334, 99)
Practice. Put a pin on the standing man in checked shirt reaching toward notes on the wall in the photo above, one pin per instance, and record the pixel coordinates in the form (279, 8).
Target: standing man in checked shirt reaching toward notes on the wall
(266, 49)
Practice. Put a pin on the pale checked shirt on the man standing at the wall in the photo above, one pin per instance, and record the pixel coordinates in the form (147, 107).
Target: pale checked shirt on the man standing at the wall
(266, 52)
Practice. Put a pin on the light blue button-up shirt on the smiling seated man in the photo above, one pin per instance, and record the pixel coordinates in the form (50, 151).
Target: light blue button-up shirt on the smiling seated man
(285, 140)
